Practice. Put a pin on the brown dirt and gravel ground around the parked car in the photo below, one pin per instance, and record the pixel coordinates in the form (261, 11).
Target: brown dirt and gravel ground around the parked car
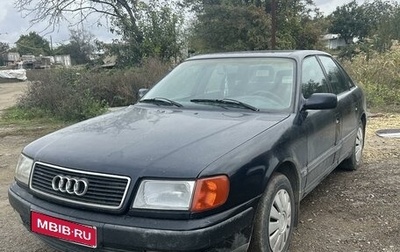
(349, 211)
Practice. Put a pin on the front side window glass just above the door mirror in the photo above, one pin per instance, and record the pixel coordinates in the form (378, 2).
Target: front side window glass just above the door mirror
(313, 78)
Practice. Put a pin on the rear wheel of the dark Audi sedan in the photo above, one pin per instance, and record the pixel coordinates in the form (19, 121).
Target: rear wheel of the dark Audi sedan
(355, 160)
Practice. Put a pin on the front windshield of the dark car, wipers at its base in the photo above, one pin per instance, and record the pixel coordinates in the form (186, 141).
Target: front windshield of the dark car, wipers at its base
(255, 83)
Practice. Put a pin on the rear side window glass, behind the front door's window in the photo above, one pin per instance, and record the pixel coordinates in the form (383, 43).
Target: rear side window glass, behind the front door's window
(338, 81)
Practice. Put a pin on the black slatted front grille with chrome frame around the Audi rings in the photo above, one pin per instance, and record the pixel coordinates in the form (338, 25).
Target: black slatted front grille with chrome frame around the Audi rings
(104, 190)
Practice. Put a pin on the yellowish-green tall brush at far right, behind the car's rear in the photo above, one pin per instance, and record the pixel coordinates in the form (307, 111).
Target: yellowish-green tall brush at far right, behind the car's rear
(379, 76)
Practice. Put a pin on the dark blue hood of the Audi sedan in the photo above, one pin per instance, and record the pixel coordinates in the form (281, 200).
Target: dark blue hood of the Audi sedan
(152, 142)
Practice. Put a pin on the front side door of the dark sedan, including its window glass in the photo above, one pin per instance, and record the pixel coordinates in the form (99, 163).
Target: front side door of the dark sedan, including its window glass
(322, 126)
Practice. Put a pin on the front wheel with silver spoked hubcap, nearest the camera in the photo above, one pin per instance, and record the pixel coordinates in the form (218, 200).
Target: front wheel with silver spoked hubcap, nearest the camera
(274, 220)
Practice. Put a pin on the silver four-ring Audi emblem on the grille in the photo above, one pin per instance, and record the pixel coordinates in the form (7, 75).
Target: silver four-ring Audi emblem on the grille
(70, 185)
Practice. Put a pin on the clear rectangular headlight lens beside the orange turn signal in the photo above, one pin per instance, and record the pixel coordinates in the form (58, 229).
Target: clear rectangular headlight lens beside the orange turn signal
(164, 195)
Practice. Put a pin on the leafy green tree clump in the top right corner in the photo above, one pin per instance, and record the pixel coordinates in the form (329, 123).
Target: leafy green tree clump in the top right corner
(374, 23)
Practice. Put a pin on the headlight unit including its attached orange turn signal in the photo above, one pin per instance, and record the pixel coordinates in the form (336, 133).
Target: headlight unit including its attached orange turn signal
(196, 196)
